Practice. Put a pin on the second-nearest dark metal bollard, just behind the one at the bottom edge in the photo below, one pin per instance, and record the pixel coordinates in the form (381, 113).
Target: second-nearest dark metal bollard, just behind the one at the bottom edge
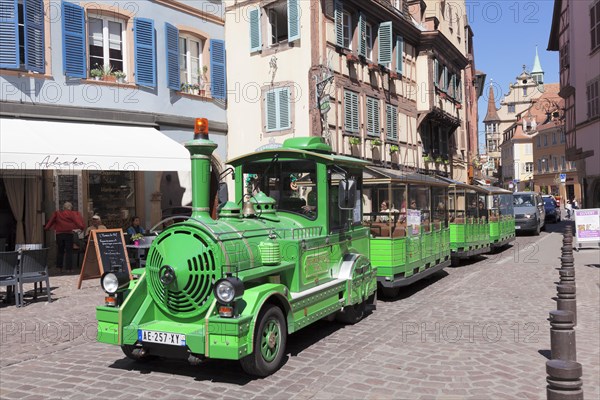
(562, 336)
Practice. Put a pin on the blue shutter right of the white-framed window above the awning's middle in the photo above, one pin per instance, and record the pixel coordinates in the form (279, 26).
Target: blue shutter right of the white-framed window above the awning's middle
(144, 44)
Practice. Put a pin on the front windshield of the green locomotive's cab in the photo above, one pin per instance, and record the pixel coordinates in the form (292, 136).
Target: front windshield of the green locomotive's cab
(293, 184)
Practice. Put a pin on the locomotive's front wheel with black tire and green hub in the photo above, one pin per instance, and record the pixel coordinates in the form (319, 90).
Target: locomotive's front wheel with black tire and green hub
(270, 339)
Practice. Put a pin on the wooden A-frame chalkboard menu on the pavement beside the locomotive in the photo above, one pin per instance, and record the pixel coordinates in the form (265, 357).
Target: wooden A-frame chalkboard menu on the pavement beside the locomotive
(105, 252)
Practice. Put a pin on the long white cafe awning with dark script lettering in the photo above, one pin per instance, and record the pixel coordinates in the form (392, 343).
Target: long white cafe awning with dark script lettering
(36, 144)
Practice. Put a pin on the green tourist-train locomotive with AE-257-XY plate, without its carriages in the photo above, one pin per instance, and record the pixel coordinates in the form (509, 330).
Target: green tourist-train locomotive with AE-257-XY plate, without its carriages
(233, 288)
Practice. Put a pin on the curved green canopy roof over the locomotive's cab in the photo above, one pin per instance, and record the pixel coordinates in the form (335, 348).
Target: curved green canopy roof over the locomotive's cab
(313, 148)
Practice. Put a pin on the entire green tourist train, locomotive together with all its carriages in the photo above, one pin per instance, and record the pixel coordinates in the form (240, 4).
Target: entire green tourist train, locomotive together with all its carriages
(300, 242)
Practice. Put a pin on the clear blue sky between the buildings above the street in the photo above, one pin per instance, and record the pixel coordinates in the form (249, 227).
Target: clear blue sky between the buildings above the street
(505, 36)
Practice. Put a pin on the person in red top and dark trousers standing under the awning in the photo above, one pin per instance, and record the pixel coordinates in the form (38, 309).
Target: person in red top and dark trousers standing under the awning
(64, 223)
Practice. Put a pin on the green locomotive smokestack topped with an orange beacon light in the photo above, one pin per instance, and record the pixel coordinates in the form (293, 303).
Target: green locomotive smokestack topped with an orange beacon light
(201, 148)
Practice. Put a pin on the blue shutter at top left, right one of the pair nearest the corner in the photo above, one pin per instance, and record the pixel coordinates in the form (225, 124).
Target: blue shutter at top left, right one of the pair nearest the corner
(34, 35)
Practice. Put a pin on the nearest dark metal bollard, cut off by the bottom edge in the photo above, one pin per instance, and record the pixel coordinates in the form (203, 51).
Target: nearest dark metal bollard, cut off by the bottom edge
(564, 380)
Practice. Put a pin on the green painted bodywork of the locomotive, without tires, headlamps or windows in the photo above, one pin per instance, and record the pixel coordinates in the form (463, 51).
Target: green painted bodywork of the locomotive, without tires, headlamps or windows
(313, 275)
